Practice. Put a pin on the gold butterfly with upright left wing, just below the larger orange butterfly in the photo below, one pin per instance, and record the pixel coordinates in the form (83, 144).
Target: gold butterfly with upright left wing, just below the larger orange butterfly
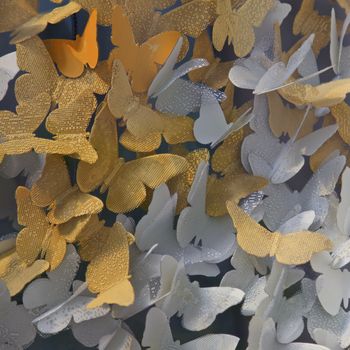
(141, 120)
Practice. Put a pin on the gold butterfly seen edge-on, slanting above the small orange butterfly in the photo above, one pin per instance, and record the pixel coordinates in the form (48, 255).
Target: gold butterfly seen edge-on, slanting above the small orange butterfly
(38, 23)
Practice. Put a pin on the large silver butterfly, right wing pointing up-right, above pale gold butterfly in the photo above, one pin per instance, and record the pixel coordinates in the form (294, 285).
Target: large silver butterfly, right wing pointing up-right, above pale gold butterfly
(264, 155)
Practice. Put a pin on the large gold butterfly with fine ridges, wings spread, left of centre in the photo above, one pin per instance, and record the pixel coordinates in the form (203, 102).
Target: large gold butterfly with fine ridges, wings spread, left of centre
(126, 181)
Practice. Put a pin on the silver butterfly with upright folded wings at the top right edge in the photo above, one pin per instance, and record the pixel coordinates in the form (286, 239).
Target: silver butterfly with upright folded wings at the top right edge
(340, 55)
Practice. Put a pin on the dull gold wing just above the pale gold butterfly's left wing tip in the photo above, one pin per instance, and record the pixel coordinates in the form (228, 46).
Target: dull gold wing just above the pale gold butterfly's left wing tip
(230, 188)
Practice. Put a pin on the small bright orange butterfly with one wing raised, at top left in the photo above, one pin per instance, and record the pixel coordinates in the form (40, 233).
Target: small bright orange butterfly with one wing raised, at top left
(71, 56)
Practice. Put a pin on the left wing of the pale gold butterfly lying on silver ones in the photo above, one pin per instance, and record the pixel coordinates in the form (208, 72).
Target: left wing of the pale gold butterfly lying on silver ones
(252, 238)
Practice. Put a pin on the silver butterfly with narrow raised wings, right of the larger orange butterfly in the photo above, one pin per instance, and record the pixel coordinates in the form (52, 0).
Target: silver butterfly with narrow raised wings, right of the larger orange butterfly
(176, 95)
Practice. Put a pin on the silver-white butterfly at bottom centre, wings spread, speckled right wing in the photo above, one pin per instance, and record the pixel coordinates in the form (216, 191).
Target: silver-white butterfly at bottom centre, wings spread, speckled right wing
(180, 296)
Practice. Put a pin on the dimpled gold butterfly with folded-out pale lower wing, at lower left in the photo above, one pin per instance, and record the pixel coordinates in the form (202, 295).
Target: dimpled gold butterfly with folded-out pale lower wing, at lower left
(108, 271)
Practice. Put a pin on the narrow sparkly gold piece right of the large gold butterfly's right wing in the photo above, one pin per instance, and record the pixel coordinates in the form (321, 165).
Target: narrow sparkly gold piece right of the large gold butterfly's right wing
(181, 184)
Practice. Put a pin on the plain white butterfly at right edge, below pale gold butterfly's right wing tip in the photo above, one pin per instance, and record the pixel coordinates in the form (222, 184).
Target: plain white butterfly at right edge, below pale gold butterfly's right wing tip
(333, 285)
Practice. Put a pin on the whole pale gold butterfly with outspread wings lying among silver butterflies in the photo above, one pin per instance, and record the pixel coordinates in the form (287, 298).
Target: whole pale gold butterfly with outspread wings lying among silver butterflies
(291, 249)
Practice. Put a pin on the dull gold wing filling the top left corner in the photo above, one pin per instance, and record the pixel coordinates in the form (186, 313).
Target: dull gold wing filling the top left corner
(17, 12)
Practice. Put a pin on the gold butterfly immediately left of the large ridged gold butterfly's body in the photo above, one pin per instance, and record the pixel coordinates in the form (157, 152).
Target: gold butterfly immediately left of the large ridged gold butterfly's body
(64, 201)
